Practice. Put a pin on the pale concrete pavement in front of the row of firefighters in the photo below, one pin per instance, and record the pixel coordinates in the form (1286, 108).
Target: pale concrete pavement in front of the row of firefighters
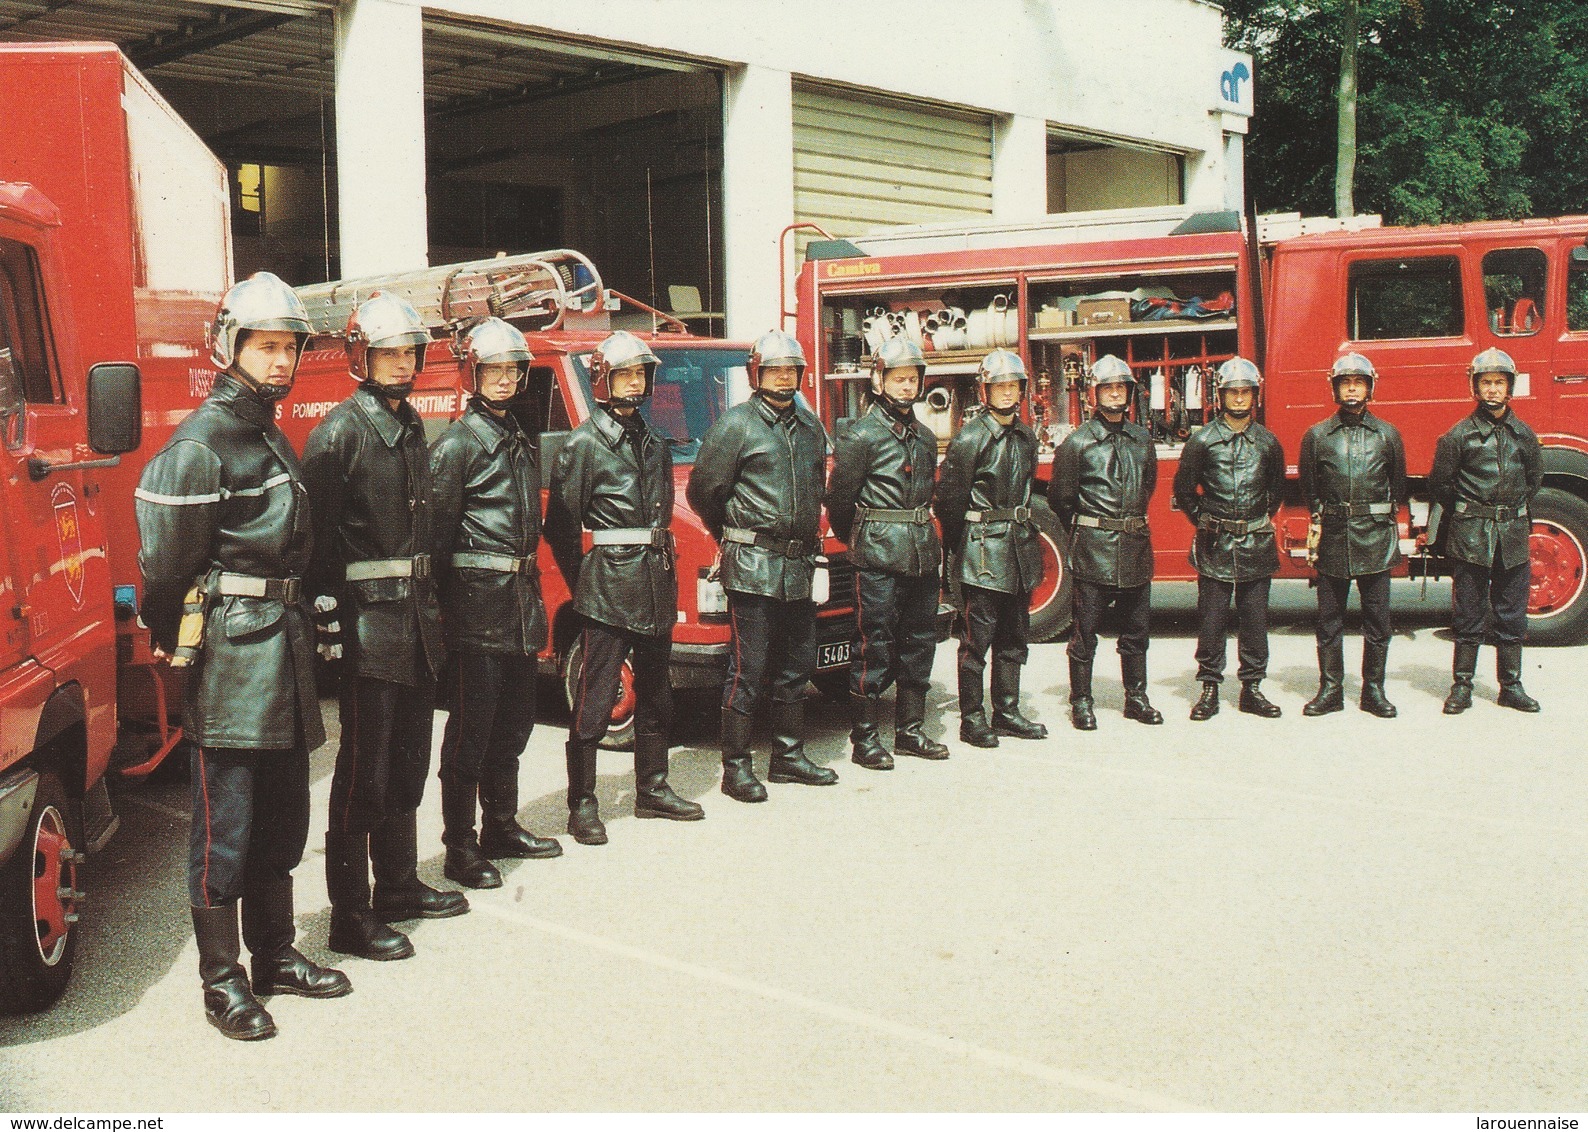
(1338, 914)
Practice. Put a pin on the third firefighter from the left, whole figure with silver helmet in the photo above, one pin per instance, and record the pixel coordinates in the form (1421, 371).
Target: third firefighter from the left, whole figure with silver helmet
(485, 477)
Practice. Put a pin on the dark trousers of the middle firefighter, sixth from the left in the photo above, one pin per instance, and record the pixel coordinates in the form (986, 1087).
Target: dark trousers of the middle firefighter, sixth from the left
(896, 633)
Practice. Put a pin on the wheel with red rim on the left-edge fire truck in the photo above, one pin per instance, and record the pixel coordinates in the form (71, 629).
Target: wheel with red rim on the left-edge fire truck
(40, 891)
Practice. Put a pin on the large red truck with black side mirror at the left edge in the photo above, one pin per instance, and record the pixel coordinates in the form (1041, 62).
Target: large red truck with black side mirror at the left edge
(114, 253)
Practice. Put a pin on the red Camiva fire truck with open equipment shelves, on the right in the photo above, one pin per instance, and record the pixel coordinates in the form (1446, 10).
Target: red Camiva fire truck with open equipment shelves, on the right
(1176, 293)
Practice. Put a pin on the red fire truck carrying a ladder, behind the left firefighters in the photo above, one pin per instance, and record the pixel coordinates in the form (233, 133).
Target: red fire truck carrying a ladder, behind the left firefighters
(558, 301)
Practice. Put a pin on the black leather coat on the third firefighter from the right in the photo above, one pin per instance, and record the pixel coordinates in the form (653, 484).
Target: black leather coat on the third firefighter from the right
(1235, 477)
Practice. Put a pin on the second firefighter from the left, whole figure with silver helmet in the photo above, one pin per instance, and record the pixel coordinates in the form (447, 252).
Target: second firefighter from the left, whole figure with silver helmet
(369, 479)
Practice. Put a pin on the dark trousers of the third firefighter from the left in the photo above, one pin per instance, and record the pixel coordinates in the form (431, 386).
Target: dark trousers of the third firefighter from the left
(491, 704)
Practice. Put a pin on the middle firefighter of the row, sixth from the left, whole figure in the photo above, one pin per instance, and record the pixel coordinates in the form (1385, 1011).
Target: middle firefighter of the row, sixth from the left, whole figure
(881, 504)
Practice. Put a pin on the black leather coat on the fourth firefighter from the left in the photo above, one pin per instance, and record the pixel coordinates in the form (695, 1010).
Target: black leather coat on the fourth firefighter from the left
(607, 479)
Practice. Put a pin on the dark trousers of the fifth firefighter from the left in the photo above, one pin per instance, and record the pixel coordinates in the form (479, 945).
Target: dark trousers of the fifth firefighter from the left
(773, 641)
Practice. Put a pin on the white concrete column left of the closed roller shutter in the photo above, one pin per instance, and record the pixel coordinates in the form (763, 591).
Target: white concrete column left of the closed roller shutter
(758, 194)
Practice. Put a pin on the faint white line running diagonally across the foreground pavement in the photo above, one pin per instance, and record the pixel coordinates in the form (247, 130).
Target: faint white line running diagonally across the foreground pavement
(1139, 1099)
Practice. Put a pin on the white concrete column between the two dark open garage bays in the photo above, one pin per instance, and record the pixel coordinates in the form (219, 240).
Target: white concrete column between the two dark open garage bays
(380, 137)
